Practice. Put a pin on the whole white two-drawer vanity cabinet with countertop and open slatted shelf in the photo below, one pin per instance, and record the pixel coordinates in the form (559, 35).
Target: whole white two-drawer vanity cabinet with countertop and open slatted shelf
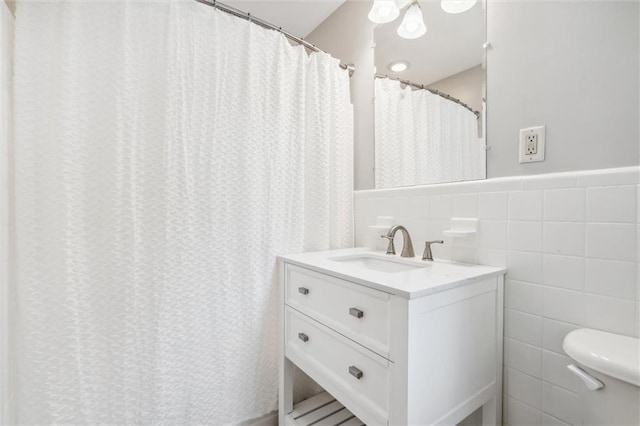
(419, 347)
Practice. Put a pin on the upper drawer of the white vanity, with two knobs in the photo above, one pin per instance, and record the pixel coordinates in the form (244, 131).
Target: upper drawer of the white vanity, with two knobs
(356, 311)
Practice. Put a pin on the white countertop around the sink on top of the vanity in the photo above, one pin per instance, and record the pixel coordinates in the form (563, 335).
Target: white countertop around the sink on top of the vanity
(427, 278)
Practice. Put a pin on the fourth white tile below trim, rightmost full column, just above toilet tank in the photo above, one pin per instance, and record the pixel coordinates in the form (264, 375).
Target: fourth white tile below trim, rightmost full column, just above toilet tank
(610, 314)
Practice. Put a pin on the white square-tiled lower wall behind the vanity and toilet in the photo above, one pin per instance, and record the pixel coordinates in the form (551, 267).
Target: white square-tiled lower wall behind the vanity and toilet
(569, 242)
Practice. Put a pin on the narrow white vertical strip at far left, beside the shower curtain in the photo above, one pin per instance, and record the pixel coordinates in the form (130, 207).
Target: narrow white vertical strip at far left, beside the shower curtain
(6, 48)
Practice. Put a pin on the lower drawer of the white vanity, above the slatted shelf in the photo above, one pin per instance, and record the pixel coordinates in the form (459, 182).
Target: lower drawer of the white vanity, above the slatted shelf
(354, 375)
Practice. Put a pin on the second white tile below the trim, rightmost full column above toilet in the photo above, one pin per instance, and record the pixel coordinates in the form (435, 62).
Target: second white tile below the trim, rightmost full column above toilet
(611, 241)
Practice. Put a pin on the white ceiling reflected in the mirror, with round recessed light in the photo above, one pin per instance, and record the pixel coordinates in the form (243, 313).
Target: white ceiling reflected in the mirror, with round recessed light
(453, 43)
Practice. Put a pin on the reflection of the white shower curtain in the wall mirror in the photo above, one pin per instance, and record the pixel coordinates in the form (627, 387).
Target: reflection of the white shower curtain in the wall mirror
(423, 138)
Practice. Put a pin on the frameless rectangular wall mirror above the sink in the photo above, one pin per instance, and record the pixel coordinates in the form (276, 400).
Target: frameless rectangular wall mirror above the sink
(430, 117)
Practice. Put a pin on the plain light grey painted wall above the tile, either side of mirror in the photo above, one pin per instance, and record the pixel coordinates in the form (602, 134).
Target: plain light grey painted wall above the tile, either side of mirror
(572, 66)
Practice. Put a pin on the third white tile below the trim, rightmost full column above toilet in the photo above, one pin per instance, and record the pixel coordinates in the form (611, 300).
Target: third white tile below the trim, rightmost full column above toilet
(611, 278)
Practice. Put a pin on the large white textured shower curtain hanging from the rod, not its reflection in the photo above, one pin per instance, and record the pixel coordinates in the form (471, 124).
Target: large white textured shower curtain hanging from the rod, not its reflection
(165, 153)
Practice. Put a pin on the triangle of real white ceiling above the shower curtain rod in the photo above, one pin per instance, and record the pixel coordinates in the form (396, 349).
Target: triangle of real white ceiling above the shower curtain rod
(298, 17)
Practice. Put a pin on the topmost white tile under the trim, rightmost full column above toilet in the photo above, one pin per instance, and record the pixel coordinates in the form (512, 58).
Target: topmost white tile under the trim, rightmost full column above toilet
(611, 204)
